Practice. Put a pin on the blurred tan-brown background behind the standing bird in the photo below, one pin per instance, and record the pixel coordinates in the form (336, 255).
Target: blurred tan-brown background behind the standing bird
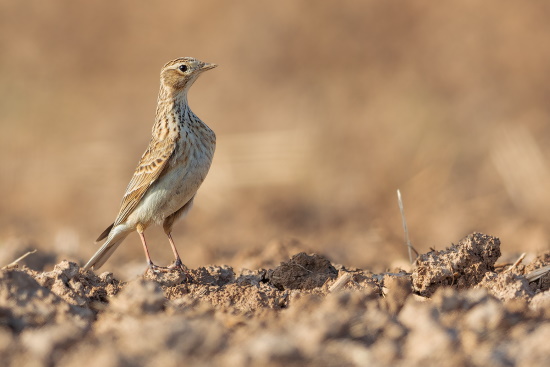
(322, 110)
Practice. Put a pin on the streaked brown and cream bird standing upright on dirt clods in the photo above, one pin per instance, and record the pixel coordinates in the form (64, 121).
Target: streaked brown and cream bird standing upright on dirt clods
(171, 169)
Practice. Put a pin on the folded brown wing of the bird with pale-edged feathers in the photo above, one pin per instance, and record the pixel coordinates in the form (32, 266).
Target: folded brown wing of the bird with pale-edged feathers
(150, 167)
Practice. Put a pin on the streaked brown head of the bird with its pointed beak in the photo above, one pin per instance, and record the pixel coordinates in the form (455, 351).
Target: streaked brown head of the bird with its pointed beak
(179, 74)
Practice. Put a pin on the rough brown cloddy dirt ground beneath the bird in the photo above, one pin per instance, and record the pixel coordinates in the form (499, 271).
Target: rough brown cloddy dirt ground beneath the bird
(457, 307)
